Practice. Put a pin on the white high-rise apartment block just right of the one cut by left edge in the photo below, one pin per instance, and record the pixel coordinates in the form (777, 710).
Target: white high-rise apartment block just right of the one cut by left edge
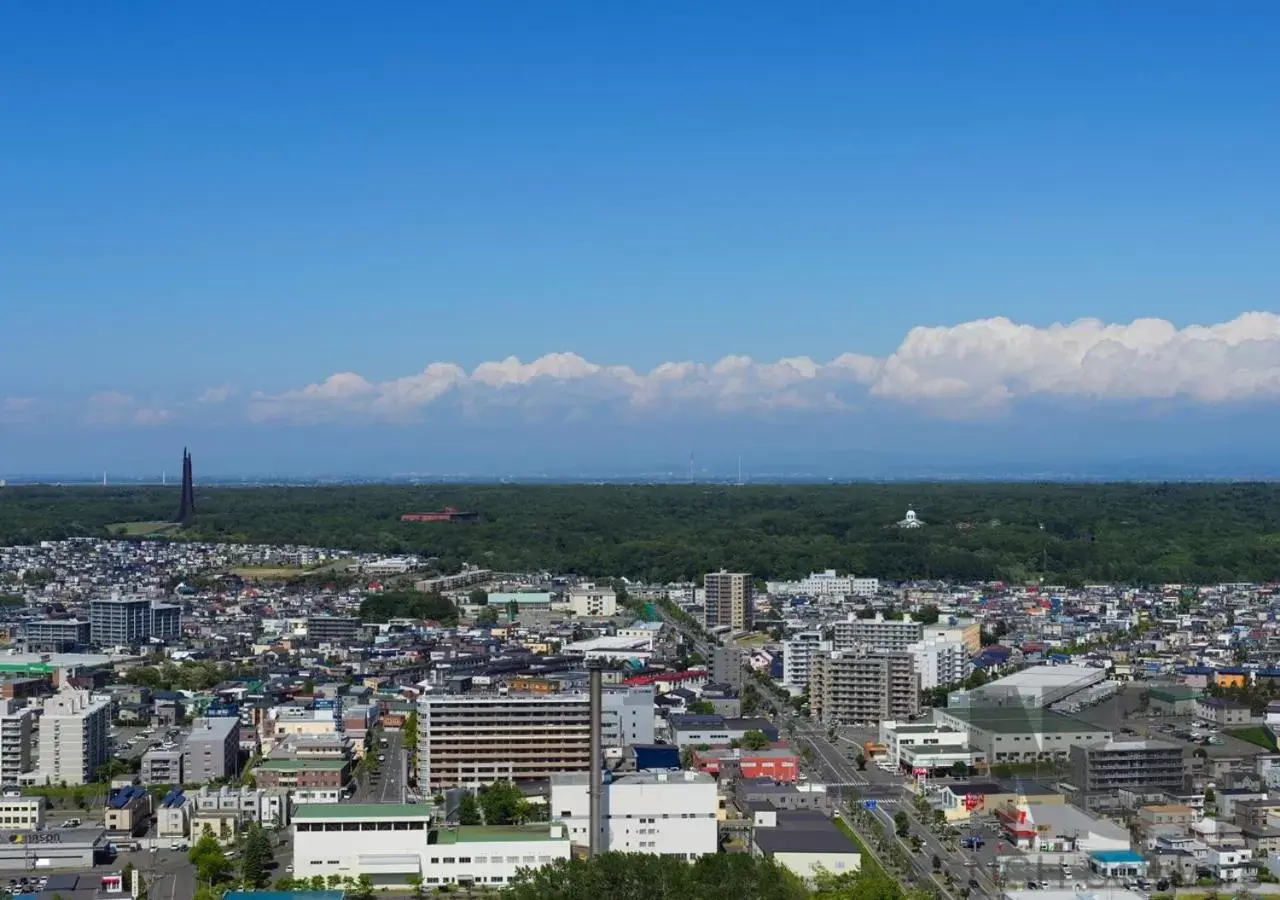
(74, 737)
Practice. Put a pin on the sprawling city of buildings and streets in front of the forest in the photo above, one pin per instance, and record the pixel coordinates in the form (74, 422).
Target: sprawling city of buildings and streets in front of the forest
(194, 719)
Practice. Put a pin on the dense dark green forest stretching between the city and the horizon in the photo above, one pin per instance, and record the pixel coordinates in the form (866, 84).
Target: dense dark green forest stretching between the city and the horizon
(1139, 533)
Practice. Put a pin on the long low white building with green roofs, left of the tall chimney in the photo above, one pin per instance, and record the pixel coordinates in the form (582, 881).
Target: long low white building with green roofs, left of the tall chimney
(395, 844)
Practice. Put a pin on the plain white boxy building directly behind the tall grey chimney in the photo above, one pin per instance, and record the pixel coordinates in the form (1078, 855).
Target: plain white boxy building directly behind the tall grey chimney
(664, 814)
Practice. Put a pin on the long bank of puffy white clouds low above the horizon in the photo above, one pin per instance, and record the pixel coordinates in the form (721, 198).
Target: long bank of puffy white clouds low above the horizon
(971, 368)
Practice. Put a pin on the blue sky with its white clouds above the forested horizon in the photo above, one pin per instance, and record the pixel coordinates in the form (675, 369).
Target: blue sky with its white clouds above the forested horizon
(211, 213)
